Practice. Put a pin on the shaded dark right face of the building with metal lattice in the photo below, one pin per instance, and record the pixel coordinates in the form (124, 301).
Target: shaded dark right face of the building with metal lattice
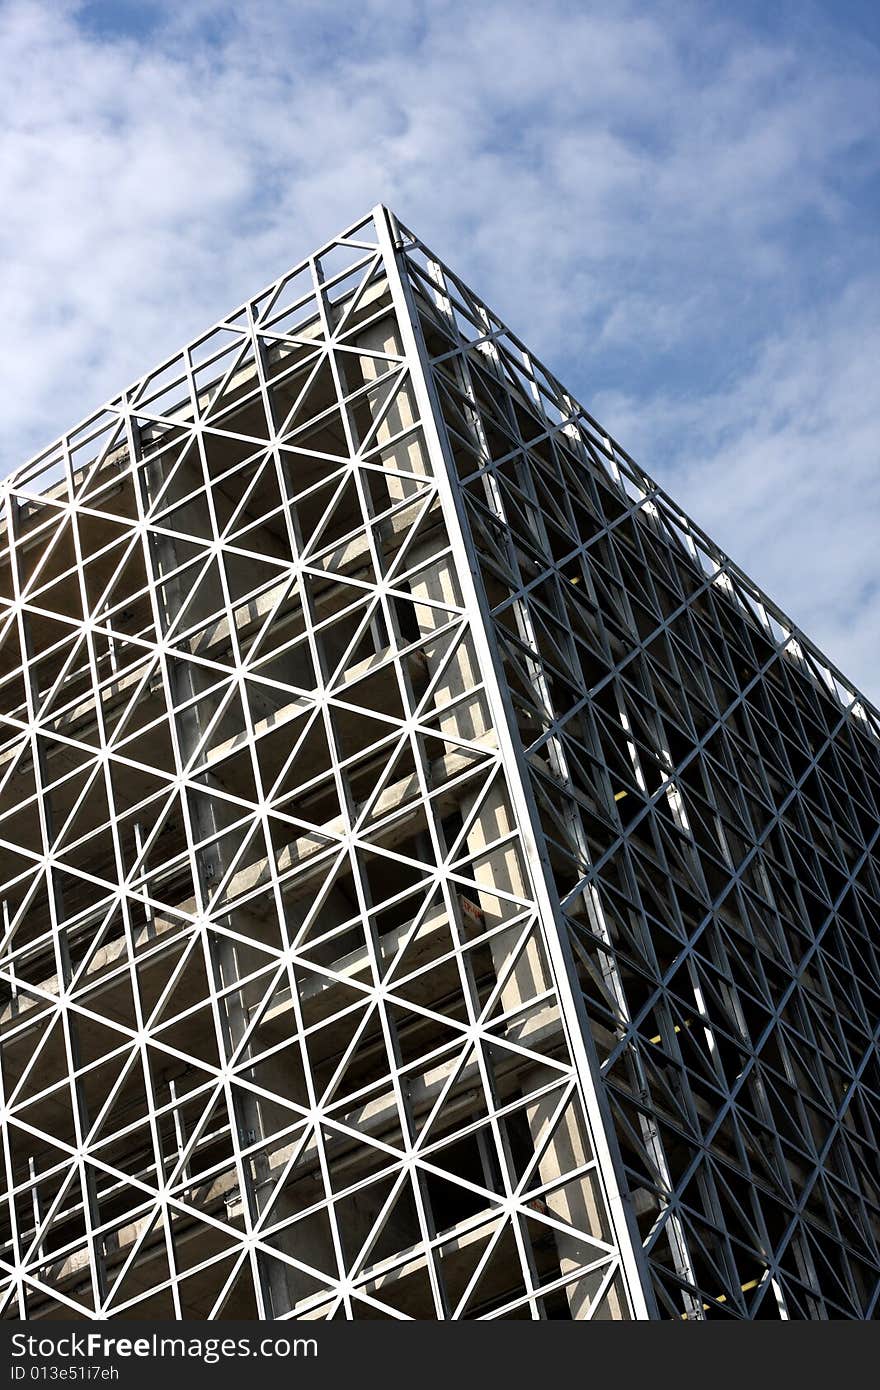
(708, 789)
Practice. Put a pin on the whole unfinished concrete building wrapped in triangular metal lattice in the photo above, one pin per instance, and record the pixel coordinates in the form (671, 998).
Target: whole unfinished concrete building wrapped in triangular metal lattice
(436, 882)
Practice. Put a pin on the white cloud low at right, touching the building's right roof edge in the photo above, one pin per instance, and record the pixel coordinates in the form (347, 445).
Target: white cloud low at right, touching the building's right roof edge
(782, 468)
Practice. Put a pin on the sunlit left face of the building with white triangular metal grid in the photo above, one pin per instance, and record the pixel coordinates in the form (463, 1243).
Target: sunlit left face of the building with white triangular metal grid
(280, 1017)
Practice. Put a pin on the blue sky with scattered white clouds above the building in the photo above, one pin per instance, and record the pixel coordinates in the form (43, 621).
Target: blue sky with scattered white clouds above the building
(674, 204)
